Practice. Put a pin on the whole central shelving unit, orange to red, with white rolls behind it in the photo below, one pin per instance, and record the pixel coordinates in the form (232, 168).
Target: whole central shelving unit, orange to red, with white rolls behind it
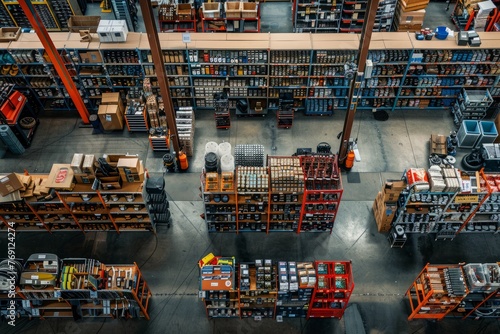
(294, 194)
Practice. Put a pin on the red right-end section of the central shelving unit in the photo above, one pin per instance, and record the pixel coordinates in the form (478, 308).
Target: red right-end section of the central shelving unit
(322, 194)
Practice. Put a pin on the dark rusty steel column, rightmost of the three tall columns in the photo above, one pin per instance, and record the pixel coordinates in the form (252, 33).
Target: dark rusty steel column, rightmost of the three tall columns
(355, 86)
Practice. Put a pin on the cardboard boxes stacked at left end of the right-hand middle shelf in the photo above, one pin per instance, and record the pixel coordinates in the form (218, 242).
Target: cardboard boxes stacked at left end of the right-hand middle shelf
(385, 205)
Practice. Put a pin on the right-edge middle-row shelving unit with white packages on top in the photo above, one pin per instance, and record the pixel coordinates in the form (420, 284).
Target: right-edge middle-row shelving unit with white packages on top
(468, 208)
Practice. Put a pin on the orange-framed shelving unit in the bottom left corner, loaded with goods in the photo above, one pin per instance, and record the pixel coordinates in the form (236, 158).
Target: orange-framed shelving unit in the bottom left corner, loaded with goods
(82, 288)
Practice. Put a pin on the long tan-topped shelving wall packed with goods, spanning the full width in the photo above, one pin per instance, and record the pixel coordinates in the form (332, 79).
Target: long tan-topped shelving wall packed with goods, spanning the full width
(405, 73)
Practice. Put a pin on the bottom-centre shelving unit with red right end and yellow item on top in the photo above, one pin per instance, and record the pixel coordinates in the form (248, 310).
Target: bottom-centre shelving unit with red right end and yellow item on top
(267, 289)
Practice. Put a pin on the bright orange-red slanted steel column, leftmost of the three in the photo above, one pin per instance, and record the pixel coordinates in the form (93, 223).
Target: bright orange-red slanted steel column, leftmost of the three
(56, 59)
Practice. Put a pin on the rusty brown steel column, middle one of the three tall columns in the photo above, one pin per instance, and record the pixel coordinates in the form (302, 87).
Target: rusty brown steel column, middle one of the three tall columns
(154, 44)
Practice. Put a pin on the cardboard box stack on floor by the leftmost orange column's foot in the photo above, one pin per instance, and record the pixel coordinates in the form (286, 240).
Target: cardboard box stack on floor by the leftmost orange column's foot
(111, 111)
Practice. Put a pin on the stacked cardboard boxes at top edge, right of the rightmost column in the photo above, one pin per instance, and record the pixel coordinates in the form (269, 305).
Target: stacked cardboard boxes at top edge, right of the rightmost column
(410, 15)
